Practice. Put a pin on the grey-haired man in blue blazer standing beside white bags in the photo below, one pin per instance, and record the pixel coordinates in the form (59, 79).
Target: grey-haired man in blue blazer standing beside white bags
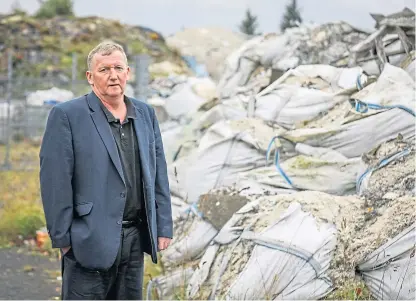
(104, 184)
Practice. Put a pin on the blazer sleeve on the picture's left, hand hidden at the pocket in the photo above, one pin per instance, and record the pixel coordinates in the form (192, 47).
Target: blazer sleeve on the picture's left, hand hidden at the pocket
(56, 169)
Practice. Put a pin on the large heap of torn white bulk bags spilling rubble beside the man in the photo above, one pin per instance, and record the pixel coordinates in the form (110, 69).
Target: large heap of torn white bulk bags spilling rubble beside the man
(291, 185)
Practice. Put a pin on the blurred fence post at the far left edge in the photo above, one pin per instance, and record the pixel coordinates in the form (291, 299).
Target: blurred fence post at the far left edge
(6, 163)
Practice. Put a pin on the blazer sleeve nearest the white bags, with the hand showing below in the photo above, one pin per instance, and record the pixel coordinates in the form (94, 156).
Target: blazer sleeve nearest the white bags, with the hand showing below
(162, 190)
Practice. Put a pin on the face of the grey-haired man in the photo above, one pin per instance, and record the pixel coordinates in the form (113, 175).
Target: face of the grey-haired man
(109, 74)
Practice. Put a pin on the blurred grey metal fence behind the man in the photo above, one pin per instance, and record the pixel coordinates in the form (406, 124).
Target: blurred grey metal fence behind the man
(22, 123)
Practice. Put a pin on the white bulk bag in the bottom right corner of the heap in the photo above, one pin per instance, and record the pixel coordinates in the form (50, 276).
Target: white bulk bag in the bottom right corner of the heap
(389, 271)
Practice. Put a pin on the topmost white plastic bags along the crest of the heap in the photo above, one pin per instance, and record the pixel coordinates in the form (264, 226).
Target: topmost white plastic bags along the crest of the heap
(297, 46)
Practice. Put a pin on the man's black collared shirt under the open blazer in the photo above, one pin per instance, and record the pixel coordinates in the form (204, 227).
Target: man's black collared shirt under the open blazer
(128, 149)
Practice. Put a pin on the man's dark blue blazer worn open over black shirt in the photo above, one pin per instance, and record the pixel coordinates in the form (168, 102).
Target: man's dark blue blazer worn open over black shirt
(82, 183)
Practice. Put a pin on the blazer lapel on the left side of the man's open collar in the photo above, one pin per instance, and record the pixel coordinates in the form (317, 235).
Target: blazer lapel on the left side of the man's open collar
(104, 130)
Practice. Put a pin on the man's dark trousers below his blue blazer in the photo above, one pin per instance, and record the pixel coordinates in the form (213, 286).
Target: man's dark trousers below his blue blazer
(123, 281)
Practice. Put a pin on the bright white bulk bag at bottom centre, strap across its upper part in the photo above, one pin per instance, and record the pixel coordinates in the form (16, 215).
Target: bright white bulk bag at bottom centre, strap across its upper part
(289, 260)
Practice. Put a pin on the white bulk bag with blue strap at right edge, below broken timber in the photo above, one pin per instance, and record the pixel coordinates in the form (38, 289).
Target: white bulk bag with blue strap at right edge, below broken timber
(378, 113)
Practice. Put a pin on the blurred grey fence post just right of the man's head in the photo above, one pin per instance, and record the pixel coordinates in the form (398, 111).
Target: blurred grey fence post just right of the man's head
(142, 77)
